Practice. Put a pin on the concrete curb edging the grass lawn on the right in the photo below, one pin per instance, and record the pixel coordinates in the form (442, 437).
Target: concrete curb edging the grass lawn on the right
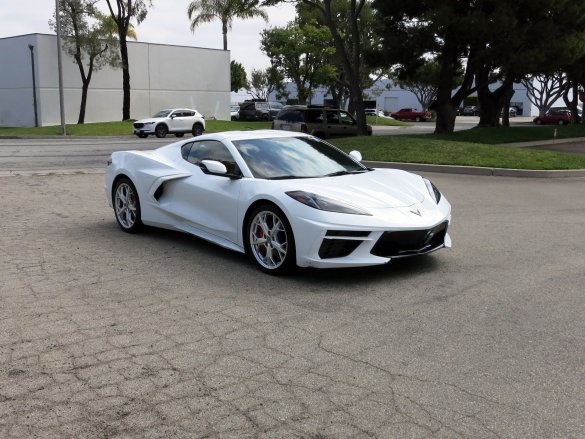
(471, 170)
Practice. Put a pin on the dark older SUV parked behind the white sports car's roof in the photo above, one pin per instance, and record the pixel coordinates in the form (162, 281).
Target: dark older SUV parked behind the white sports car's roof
(317, 120)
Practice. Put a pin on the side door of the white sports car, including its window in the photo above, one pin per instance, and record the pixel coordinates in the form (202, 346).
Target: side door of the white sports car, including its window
(204, 201)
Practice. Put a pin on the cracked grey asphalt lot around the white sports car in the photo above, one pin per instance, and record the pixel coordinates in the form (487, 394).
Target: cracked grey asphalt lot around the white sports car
(106, 335)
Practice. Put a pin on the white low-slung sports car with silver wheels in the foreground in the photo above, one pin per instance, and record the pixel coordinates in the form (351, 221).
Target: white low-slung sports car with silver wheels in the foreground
(286, 199)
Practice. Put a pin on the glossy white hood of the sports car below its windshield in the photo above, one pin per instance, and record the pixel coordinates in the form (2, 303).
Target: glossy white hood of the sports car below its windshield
(378, 189)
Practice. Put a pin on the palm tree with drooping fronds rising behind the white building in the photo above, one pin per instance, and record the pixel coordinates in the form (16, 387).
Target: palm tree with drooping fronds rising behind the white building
(205, 11)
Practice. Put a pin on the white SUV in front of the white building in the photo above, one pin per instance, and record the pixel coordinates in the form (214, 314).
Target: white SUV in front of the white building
(176, 121)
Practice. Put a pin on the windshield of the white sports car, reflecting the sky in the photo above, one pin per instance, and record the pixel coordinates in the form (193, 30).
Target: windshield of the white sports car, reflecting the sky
(295, 157)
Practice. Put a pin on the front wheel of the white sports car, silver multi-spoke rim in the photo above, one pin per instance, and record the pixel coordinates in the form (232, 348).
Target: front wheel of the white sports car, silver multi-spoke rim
(277, 253)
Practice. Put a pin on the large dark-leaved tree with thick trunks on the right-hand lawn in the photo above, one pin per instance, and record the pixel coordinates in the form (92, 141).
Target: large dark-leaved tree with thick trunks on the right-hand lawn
(493, 40)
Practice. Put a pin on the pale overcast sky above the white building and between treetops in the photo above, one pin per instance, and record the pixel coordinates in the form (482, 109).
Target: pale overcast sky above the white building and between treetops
(166, 23)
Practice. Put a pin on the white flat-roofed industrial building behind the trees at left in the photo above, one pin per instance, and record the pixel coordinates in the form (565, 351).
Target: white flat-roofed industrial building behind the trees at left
(161, 76)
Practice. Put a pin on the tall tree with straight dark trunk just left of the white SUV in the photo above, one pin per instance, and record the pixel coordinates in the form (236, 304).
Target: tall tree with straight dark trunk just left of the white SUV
(122, 12)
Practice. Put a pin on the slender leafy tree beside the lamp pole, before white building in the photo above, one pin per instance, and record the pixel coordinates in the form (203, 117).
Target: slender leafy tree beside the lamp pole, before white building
(86, 37)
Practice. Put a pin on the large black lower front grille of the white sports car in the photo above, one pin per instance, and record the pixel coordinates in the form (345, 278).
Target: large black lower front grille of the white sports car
(410, 242)
